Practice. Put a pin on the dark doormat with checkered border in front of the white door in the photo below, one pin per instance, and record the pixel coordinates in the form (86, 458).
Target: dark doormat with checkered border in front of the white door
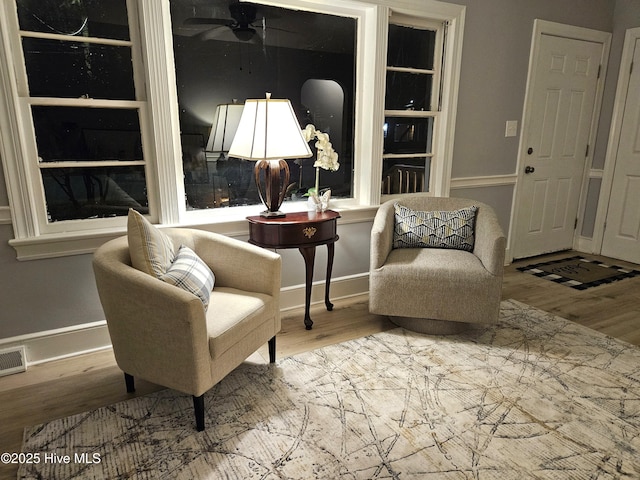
(579, 272)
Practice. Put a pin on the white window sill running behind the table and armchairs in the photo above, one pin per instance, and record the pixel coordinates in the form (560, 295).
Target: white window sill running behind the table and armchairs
(233, 225)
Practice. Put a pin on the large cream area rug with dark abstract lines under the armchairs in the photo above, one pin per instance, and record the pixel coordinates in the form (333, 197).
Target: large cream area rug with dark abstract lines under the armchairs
(534, 396)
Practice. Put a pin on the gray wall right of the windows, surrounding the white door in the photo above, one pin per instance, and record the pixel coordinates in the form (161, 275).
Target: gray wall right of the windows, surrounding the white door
(496, 49)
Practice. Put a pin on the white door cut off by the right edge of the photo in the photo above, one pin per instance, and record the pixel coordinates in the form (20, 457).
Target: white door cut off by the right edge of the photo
(622, 232)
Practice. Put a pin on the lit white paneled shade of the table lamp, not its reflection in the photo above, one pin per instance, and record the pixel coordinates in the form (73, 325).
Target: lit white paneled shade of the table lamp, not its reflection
(269, 130)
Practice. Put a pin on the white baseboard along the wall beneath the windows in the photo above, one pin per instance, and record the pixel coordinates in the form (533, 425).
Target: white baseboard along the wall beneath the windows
(68, 342)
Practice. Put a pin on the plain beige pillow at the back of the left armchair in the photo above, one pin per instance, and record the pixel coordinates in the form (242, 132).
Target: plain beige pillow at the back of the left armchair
(151, 250)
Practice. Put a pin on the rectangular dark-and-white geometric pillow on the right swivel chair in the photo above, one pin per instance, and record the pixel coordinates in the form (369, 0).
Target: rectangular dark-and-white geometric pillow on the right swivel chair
(453, 229)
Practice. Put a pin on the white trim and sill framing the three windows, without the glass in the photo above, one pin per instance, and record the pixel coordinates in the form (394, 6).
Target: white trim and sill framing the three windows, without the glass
(164, 178)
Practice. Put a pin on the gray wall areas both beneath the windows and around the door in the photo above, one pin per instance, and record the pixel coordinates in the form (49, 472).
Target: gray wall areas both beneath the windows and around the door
(47, 294)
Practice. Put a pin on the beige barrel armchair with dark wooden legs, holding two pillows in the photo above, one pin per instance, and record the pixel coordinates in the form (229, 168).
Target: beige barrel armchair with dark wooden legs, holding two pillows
(164, 334)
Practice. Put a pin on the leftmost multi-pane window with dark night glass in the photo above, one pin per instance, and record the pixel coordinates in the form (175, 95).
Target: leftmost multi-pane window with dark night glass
(81, 94)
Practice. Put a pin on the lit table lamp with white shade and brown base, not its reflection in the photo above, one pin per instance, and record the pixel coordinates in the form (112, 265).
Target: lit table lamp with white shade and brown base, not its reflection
(269, 133)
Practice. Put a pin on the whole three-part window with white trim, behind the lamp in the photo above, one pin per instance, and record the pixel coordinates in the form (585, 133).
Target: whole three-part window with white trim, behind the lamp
(112, 104)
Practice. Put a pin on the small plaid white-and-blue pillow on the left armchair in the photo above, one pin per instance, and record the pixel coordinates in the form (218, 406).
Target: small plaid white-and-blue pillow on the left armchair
(190, 273)
